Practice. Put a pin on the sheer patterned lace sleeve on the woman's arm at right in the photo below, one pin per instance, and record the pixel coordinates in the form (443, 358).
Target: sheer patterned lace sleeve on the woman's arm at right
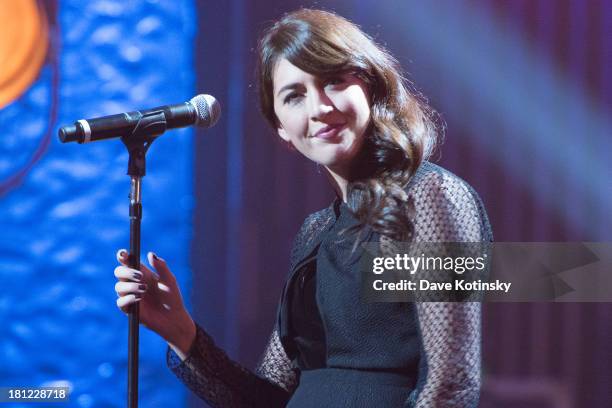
(448, 210)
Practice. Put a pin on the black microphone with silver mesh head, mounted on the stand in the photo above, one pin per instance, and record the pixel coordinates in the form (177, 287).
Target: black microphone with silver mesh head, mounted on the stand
(202, 111)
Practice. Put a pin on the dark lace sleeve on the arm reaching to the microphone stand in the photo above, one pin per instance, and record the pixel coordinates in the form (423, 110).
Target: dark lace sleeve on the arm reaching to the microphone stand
(220, 381)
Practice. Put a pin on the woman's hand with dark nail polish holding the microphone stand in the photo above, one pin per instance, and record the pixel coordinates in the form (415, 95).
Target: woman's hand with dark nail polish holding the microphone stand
(161, 304)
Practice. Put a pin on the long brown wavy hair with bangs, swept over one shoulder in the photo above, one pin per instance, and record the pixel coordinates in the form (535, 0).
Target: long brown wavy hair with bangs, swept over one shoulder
(402, 130)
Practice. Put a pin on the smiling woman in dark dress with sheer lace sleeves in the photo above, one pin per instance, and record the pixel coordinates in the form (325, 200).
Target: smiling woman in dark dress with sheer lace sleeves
(336, 97)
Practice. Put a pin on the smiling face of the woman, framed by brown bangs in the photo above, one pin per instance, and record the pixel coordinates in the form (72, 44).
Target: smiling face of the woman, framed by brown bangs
(323, 118)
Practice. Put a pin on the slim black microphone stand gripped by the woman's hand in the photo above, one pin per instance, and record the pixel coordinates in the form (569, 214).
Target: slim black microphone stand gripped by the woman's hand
(138, 142)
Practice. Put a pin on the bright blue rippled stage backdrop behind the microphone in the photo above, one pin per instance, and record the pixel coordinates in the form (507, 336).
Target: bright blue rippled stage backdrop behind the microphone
(64, 208)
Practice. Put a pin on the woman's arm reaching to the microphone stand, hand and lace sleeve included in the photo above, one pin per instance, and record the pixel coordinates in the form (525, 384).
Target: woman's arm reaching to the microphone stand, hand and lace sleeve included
(200, 364)
